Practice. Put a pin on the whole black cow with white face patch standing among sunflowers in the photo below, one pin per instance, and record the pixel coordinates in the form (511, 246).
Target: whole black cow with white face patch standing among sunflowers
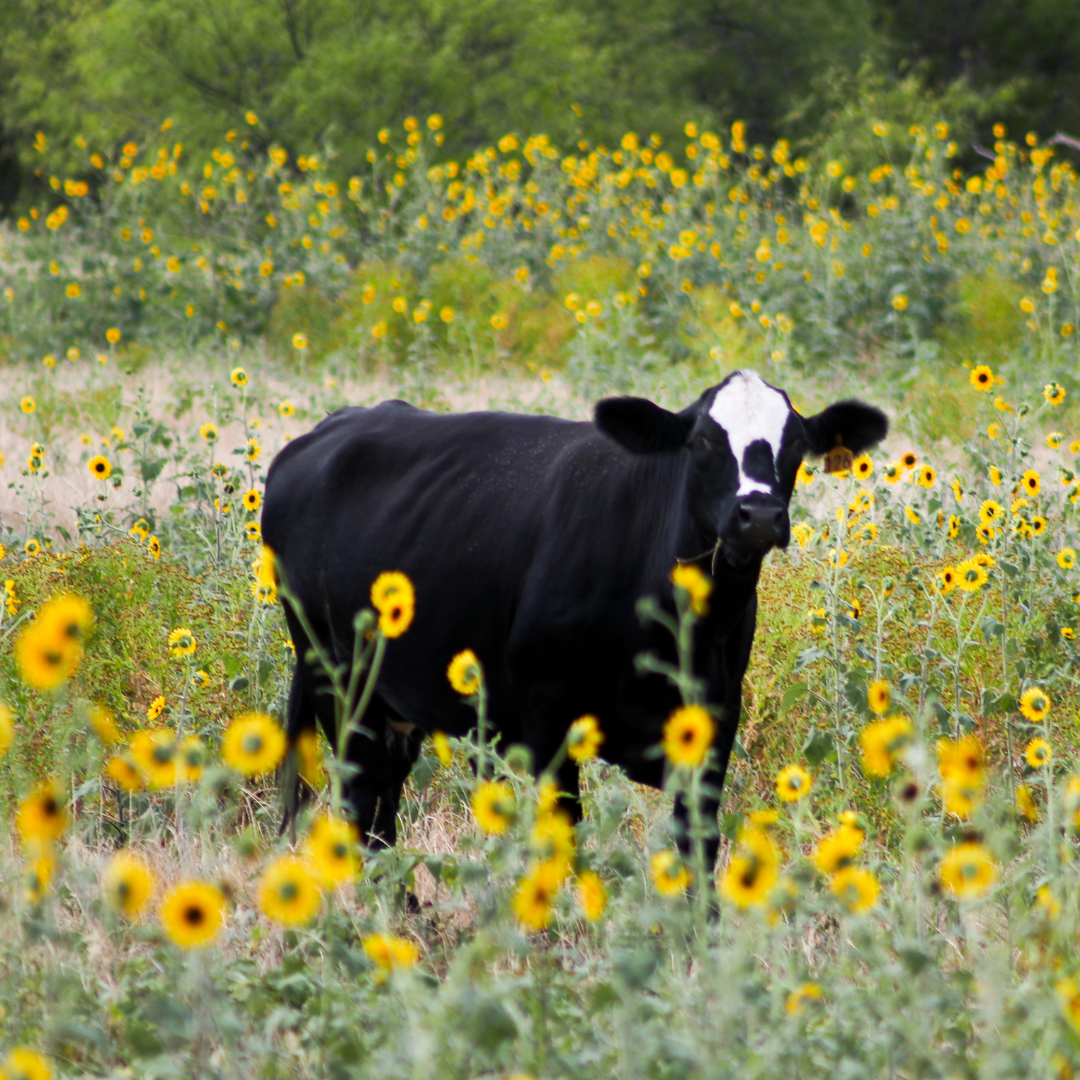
(530, 539)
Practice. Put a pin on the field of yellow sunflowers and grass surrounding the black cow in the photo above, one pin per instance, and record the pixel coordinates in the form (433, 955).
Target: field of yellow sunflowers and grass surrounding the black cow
(897, 894)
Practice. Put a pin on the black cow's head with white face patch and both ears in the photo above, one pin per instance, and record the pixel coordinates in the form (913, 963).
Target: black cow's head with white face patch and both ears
(746, 443)
